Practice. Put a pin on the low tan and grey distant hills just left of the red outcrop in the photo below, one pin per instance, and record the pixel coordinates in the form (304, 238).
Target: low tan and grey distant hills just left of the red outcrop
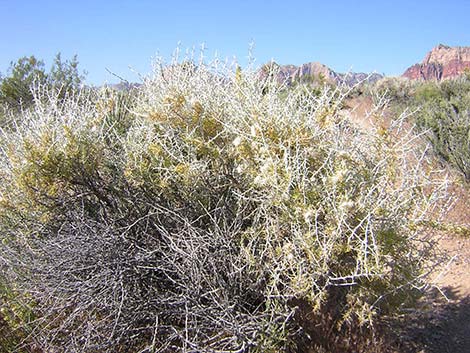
(317, 72)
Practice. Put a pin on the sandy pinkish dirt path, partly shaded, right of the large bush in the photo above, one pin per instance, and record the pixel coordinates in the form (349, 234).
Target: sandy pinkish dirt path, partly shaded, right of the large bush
(443, 324)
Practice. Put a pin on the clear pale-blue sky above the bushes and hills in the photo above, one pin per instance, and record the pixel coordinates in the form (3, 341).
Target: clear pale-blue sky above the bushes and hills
(385, 36)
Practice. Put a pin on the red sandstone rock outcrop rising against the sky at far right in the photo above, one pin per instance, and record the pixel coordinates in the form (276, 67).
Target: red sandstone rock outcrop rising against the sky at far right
(440, 63)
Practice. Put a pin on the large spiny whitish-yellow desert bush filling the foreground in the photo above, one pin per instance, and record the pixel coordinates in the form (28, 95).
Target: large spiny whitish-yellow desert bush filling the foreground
(207, 212)
